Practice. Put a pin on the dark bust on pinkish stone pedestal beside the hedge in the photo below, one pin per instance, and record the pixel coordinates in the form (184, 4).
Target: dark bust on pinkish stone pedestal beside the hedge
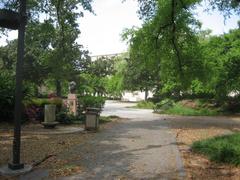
(72, 99)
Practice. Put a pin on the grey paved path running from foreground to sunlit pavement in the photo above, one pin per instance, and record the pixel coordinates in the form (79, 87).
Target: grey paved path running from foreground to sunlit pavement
(141, 147)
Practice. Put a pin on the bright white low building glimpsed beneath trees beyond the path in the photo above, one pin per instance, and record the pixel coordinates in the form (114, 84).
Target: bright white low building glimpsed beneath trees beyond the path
(135, 96)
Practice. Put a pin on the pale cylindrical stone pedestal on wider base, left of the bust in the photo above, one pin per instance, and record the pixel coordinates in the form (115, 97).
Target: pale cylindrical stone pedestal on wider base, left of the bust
(49, 116)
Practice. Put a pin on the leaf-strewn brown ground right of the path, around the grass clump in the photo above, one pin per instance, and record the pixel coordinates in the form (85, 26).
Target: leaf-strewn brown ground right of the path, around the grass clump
(190, 129)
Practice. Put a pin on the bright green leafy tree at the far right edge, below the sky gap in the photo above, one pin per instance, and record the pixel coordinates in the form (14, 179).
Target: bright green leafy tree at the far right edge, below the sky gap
(222, 64)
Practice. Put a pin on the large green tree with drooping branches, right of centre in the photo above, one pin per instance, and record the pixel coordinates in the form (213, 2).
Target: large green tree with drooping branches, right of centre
(165, 51)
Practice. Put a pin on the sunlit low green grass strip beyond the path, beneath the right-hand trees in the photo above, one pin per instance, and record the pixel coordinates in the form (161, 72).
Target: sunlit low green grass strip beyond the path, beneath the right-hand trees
(178, 109)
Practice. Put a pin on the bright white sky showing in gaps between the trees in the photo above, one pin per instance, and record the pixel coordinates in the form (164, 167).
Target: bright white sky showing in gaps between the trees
(100, 33)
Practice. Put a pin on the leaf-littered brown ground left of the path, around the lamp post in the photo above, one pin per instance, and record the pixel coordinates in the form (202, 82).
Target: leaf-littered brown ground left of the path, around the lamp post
(41, 151)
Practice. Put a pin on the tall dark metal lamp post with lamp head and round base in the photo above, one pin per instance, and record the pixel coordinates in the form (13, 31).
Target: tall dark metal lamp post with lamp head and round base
(13, 20)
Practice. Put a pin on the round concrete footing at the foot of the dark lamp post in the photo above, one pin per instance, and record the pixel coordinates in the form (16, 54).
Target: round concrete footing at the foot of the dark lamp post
(5, 171)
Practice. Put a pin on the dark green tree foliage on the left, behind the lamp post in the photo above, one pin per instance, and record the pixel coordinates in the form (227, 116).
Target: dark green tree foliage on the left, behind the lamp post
(51, 48)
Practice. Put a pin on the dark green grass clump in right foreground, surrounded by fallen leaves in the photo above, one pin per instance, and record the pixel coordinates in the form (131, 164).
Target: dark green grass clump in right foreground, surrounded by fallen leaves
(222, 149)
